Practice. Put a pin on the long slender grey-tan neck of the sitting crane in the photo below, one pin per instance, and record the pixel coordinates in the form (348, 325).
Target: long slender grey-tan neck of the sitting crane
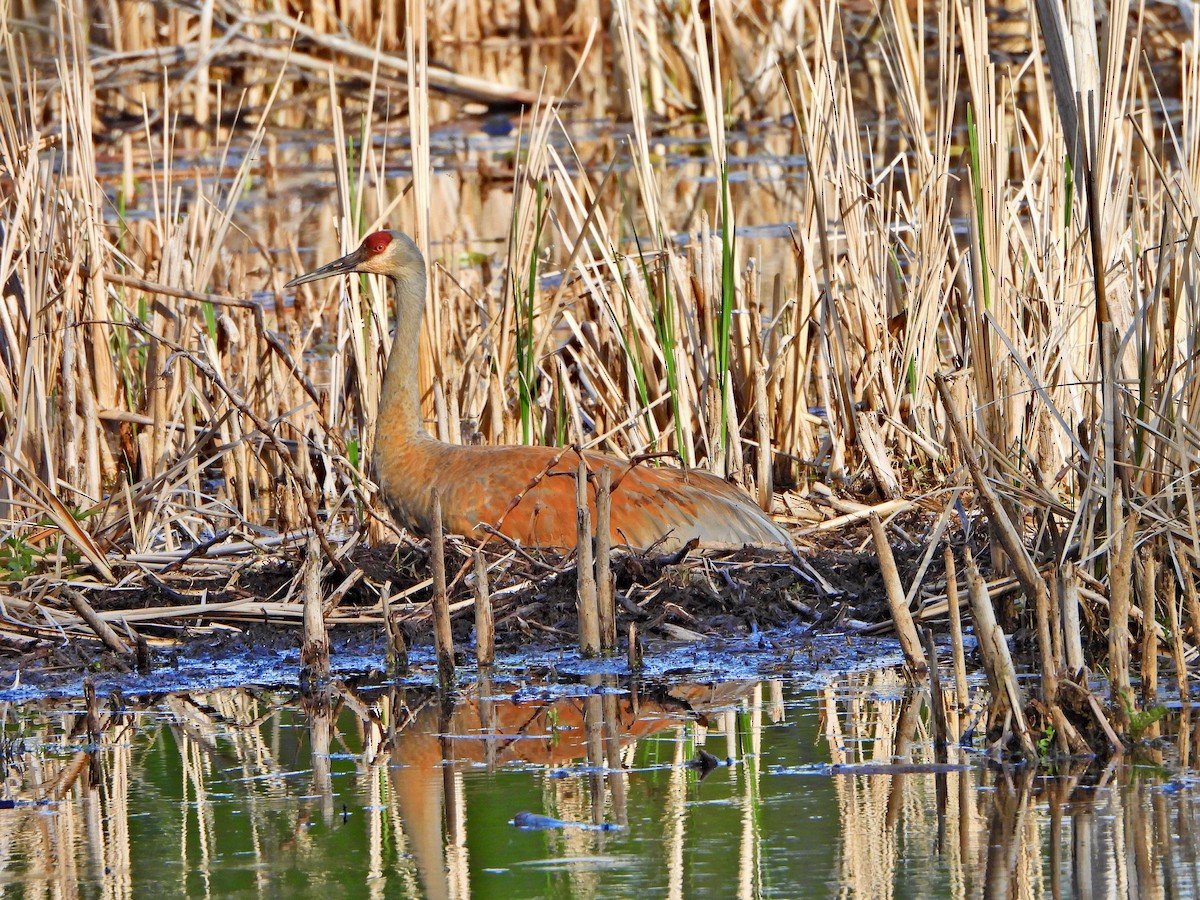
(400, 404)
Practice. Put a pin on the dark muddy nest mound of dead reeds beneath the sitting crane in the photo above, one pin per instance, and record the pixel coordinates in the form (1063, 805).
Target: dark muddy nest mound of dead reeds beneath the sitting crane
(683, 597)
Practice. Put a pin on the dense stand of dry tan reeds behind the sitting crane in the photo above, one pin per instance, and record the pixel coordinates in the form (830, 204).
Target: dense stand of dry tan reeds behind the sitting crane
(983, 321)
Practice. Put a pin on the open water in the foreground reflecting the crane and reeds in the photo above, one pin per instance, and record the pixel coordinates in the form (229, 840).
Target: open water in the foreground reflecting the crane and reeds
(597, 788)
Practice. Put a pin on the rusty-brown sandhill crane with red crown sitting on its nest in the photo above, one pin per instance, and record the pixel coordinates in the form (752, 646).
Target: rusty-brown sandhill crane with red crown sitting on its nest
(525, 493)
